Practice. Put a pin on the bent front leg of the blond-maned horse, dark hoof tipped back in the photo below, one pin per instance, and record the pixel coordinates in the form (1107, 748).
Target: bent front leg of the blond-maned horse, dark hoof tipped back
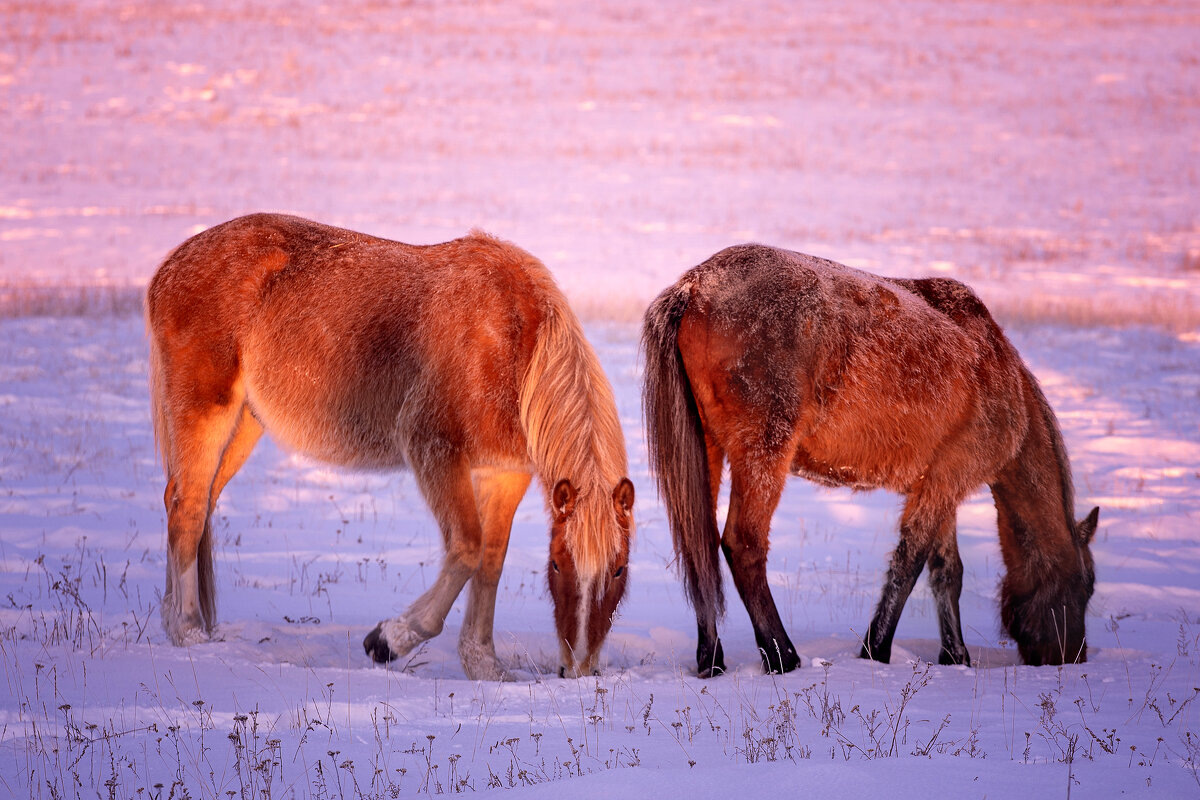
(446, 484)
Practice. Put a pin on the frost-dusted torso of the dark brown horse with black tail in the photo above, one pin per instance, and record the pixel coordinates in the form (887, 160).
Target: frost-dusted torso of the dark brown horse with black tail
(863, 381)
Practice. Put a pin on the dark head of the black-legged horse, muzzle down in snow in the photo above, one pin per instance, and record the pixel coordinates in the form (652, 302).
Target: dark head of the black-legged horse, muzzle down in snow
(1047, 622)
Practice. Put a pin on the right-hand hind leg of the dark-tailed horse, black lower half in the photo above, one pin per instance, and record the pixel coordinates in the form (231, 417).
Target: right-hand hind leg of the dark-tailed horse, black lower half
(753, 501)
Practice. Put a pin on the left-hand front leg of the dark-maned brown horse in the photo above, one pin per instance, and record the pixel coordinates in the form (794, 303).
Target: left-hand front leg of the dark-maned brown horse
(919, 533)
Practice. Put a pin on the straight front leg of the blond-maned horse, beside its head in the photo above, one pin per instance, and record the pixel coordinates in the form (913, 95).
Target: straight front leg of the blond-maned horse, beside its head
(499, 496)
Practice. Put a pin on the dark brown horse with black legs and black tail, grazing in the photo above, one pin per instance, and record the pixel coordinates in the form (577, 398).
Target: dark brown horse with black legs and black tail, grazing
(781, 363)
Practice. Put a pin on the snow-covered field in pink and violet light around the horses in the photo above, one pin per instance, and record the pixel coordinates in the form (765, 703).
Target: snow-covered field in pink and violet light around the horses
(1043, 153)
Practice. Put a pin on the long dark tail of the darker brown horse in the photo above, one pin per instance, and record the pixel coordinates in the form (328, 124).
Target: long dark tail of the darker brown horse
(677, 452)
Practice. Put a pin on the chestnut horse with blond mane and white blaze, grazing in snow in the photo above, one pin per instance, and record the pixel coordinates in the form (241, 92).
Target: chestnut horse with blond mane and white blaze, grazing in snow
(461, 362)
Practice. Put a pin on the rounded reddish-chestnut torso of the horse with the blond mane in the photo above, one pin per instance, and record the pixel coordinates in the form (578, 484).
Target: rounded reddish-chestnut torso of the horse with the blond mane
(351, 348)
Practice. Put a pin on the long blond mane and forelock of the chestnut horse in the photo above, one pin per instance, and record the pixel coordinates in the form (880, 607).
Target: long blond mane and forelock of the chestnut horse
(569, 418)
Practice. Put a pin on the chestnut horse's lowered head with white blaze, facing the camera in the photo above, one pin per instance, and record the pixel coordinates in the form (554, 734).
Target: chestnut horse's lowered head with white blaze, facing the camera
(586, 596)
